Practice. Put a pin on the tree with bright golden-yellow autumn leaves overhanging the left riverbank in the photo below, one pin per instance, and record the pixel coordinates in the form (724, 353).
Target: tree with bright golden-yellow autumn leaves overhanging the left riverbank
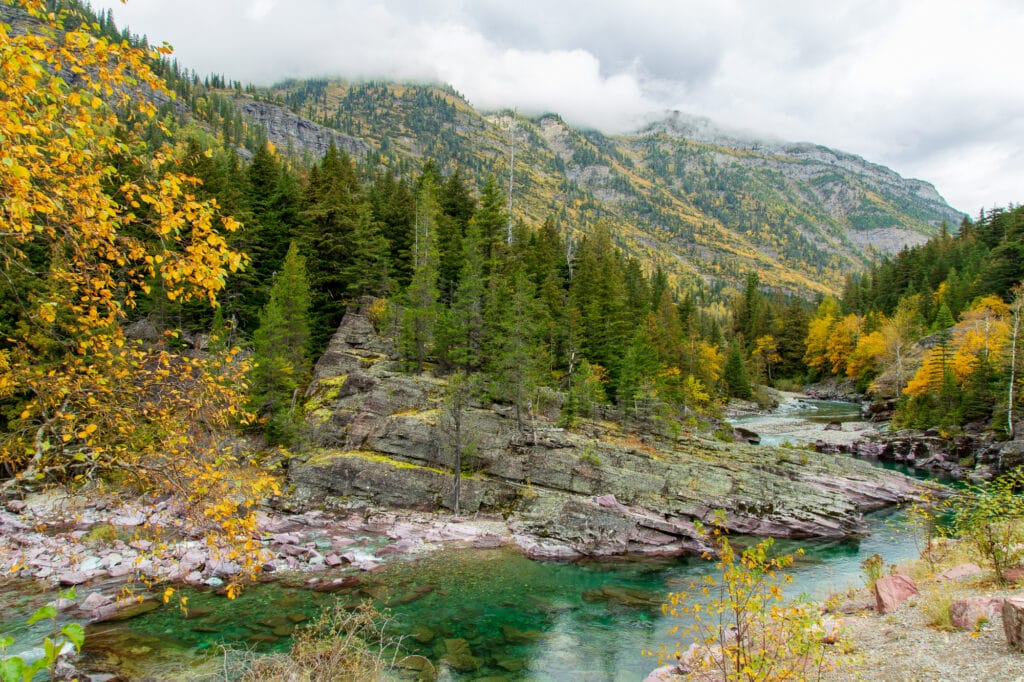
(92, 222)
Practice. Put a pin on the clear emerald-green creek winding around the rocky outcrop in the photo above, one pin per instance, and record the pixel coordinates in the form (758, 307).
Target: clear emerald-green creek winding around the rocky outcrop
(508, 617)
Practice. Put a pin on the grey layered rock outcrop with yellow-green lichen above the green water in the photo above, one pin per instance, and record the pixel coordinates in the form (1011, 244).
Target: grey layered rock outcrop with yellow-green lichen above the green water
(379, 440)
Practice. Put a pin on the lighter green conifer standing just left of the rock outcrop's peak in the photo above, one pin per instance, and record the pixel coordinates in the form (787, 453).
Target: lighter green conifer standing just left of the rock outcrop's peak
(281, 366)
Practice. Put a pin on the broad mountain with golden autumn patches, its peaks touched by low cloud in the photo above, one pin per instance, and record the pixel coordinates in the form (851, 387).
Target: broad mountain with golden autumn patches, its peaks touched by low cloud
(707, 205)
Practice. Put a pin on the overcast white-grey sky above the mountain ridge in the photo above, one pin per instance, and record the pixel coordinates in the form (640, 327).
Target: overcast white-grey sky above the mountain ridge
(932, 89)
